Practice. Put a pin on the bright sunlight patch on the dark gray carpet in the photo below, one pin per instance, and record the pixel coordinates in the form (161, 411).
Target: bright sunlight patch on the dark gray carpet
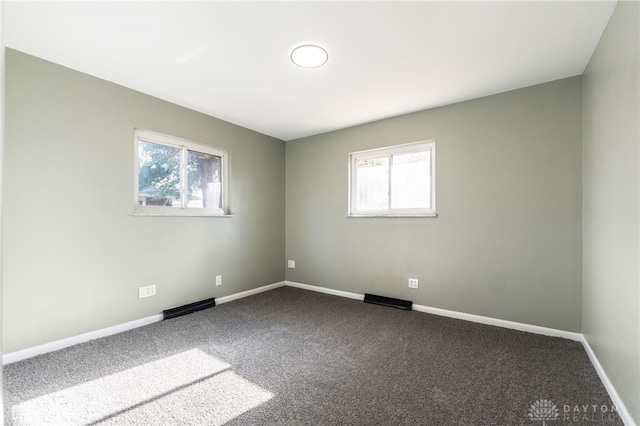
(189, 386)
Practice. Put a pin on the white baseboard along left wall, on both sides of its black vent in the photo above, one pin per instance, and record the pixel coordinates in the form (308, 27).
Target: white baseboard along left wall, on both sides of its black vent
(104, 332)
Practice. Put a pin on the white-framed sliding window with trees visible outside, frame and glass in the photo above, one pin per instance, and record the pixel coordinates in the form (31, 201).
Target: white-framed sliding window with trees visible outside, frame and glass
(175, 177)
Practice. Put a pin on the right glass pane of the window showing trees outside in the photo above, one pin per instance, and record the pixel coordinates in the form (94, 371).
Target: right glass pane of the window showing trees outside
(204, 180)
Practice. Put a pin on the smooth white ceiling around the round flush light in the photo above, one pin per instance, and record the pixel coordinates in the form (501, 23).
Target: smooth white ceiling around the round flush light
(231, 59)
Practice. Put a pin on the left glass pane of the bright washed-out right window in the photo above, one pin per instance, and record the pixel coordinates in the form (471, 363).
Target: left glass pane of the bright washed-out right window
(373, 183)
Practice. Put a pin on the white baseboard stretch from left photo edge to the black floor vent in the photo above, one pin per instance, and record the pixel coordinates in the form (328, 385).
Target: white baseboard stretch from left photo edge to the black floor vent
(70, 341)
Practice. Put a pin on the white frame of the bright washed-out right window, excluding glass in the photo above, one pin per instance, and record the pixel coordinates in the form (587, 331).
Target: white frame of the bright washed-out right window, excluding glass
(425, 145)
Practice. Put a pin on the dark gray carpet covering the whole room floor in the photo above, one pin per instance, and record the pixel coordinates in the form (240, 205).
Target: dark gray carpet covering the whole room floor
(295, 357)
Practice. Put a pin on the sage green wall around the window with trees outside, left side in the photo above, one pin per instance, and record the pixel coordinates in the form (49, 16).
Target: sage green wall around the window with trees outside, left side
(74, 256)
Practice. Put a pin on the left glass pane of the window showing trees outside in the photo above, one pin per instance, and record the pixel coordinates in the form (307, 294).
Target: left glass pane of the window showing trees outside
(158, 175)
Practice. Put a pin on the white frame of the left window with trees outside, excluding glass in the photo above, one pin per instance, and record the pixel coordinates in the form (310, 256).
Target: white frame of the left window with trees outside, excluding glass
(184, 145)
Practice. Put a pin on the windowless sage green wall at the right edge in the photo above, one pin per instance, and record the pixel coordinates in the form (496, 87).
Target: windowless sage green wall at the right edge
(611, 218)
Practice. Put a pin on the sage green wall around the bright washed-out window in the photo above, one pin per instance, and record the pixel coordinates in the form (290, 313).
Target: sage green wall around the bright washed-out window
(507, 239)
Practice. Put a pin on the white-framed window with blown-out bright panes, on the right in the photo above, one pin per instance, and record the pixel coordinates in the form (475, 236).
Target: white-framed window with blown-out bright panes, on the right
(393, 181)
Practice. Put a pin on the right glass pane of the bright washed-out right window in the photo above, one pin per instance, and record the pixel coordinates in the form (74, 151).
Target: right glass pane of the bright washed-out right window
(411, 181)
